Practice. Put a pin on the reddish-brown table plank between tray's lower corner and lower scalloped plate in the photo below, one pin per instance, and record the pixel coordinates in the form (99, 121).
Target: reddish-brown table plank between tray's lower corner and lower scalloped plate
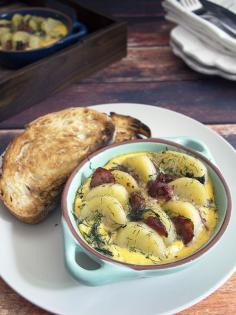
(142, 64)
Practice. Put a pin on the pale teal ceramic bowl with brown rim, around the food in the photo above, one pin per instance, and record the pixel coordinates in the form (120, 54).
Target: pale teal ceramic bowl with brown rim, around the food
(93, 268)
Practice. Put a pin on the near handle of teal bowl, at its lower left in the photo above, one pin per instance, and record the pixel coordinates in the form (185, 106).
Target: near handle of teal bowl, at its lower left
(105, 272)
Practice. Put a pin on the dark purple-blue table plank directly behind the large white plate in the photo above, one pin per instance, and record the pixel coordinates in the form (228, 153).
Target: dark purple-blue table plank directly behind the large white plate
(209, 101)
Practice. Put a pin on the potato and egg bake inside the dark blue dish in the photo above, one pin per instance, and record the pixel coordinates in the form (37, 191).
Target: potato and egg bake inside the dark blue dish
(27, 32)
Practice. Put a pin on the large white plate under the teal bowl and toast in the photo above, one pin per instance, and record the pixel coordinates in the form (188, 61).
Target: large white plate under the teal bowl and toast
(32, 256)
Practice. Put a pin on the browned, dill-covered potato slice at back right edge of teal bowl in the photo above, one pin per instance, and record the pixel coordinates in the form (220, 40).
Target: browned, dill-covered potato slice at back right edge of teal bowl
(181, 164)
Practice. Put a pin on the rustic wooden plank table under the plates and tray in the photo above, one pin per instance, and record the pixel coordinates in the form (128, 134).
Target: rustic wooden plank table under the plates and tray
(150, 74)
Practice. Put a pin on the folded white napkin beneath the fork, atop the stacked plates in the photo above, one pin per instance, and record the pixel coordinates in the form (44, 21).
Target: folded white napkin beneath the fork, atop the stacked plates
(203, 29)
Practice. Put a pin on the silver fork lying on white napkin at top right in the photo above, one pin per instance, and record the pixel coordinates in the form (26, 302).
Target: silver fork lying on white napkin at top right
(196, 7)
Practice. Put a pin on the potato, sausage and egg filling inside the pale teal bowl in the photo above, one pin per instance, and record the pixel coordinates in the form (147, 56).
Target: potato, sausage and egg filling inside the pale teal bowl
(147, 208)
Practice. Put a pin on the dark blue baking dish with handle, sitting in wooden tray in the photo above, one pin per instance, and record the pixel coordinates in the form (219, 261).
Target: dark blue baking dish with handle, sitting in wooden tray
(17, 59)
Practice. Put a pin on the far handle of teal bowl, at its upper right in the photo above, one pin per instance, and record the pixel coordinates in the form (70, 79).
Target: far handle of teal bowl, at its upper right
(195, 145)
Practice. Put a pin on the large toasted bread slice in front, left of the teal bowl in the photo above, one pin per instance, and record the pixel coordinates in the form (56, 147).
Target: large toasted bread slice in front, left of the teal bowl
(39, 161)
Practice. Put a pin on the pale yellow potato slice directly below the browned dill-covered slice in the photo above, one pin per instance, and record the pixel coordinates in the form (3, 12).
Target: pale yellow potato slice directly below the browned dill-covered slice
(189, 189)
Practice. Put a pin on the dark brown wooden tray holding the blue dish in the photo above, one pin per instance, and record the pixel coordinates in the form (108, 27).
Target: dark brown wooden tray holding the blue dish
(105, 43)
